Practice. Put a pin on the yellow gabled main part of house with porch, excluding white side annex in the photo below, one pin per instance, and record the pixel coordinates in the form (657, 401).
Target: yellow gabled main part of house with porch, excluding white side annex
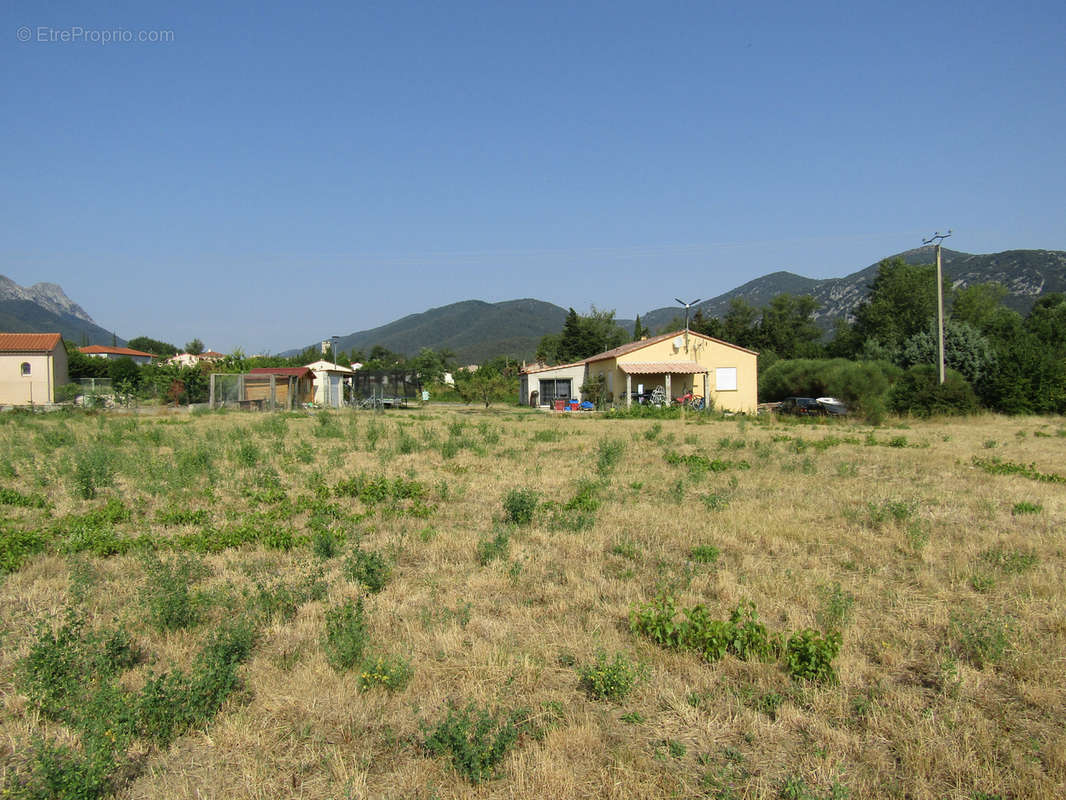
(682, 362)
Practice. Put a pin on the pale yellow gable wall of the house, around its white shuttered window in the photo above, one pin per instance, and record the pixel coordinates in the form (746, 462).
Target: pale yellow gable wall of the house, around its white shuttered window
(706, 353)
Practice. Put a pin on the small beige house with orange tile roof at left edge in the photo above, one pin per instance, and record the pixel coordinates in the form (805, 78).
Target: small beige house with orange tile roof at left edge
(31, 367)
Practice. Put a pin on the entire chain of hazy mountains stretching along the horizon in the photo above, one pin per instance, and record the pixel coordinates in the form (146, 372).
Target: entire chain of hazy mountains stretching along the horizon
(477, 331)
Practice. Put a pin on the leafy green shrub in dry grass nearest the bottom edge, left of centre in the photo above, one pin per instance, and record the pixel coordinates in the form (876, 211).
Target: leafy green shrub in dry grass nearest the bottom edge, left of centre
(475, 740)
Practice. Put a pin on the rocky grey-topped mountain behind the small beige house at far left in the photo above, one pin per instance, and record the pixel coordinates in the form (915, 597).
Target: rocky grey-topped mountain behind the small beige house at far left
(46, 309)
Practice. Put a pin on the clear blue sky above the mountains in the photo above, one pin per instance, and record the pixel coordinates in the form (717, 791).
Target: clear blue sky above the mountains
(269, 175)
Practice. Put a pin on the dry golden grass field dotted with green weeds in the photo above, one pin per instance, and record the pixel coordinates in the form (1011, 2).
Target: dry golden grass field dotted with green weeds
(450, 603)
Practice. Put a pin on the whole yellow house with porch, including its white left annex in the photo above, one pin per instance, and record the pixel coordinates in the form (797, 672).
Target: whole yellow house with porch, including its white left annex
(682, 362)
